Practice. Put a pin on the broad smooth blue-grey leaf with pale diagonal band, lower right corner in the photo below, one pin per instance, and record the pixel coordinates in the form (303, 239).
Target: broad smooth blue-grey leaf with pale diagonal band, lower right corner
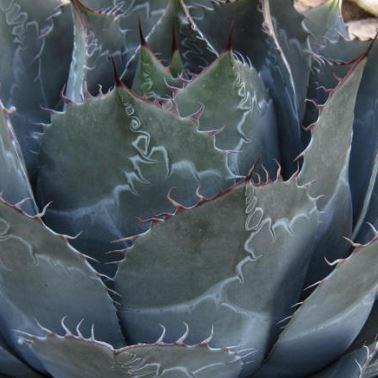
(329, 320)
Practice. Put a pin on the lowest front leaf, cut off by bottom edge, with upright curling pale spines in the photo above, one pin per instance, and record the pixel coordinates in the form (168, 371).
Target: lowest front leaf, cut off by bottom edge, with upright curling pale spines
(74, 356)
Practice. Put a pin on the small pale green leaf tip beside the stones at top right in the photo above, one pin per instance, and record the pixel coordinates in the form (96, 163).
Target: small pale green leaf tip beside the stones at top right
(325, 22)
